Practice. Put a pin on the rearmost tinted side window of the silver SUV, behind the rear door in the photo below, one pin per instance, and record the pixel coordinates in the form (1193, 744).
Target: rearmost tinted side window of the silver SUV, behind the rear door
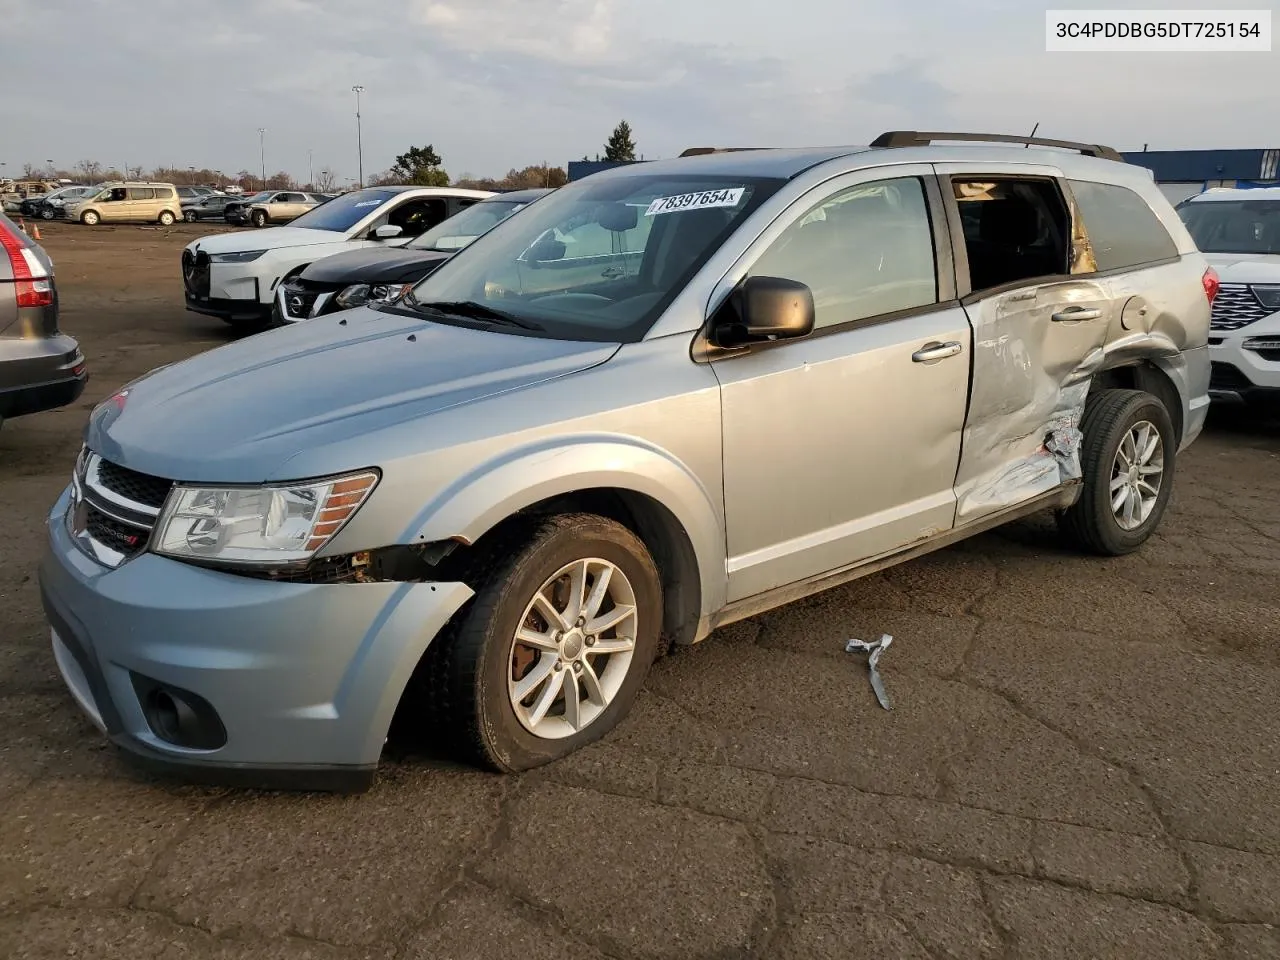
(1123, 230)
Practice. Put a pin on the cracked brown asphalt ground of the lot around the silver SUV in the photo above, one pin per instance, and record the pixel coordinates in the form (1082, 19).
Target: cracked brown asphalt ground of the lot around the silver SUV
(1084, 760)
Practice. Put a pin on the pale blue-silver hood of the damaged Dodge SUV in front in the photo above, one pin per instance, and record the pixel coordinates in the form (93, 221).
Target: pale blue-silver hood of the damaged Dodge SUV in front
(237, 414)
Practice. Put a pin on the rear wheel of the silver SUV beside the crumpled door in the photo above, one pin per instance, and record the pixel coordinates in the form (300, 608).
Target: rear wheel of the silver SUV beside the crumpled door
(1112, 419)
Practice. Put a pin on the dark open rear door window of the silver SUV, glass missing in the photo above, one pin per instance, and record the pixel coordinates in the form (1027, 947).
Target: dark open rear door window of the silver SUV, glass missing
(1014, 230)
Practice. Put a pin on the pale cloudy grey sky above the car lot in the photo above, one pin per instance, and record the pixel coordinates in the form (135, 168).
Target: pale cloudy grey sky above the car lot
(505, 84)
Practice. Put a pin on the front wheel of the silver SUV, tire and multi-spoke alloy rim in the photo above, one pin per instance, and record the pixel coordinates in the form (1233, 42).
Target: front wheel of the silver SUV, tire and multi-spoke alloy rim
(555, 648)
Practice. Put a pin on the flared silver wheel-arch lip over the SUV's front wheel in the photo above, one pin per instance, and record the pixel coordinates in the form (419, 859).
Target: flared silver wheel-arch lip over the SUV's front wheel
(522, 478)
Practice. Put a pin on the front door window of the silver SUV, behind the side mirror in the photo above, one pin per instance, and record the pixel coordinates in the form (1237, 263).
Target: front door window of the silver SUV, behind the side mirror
(866, 252)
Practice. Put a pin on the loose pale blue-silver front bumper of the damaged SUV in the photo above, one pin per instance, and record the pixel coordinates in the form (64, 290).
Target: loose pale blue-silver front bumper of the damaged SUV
(304, 679)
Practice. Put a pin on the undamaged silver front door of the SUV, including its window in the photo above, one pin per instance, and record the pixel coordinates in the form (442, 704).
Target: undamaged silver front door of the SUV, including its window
(844, 445)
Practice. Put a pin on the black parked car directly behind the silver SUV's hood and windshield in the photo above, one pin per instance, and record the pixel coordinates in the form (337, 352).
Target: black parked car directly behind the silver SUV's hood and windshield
(381, 275)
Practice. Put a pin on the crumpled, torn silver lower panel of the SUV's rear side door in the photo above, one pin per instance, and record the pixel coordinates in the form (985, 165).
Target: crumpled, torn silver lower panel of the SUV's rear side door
(1031, 378)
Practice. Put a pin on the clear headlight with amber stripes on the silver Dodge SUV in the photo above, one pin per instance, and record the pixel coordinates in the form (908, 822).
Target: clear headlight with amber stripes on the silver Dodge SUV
(259, 525)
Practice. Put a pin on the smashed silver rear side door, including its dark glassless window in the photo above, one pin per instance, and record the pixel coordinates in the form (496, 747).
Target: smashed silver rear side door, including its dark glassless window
(1040, 319)
